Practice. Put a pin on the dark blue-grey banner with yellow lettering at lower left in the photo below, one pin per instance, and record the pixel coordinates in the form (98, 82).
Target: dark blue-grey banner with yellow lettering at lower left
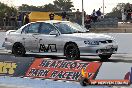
(14, 66)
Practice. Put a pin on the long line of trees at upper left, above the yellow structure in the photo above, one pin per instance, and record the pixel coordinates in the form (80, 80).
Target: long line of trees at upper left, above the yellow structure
(58, 5)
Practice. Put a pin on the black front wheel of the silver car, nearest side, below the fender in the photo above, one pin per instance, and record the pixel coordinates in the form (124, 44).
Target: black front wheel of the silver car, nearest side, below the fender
(71, 51)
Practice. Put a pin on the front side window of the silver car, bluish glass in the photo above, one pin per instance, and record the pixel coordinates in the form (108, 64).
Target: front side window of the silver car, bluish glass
(46, 28)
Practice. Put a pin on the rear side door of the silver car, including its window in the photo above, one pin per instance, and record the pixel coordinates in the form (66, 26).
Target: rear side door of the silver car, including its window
(30, 37)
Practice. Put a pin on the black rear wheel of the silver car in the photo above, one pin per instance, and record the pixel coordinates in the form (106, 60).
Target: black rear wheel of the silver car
(18, 49)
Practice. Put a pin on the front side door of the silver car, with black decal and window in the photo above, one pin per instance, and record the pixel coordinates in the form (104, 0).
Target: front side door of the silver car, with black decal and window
(48, 43)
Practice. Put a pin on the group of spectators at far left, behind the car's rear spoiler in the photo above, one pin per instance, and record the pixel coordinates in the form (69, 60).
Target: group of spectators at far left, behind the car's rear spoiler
(16, 20)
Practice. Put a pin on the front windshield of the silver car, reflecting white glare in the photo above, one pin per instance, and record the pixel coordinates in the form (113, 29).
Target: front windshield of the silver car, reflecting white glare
(69, 28)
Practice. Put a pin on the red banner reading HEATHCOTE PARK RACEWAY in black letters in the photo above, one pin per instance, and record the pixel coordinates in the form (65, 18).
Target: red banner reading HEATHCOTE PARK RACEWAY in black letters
(61, 69)
